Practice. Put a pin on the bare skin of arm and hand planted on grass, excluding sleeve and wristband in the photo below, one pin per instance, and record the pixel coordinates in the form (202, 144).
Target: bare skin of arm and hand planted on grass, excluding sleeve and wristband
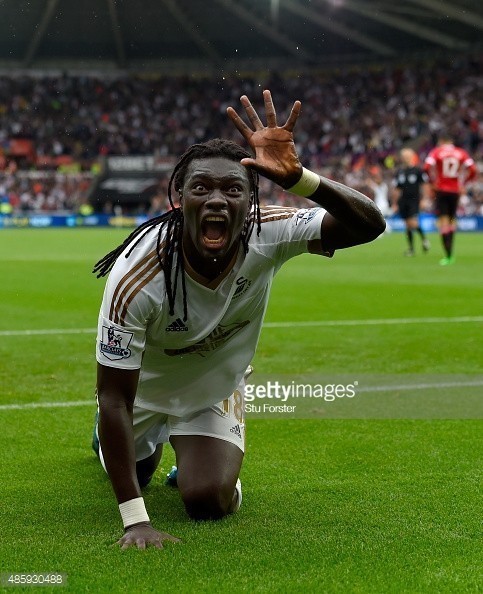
(116, 389)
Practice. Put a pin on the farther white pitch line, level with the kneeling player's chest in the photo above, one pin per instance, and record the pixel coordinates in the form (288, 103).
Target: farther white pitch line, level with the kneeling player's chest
(300, 324)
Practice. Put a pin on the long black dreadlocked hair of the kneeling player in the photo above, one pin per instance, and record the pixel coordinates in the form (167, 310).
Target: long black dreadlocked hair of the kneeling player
(173, 220)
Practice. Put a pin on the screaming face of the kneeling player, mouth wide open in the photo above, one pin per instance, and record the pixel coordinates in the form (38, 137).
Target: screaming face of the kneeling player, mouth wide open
(215, 201)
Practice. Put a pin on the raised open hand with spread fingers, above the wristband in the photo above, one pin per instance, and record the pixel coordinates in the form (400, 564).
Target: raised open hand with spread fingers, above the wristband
(275, 154)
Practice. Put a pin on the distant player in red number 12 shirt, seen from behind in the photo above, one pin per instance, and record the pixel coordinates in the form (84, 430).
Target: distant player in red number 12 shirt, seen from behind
(448, 168)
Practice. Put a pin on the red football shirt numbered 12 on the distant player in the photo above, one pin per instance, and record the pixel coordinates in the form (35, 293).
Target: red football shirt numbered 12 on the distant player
(449, 168)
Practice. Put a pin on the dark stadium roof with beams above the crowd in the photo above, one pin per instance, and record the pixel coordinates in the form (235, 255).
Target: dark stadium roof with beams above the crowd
(206, 35)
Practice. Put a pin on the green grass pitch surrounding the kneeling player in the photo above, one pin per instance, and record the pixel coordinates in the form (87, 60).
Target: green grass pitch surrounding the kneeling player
(370, 499)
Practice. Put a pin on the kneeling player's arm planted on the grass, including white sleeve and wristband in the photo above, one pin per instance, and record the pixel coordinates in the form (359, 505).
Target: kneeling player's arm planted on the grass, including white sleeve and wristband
(127, 306)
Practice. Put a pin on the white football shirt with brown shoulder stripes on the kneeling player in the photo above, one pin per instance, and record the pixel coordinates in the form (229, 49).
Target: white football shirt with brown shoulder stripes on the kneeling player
(186, 366)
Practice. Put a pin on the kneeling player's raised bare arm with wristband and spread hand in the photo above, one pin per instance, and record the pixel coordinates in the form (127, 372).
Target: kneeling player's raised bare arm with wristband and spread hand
(351, 218)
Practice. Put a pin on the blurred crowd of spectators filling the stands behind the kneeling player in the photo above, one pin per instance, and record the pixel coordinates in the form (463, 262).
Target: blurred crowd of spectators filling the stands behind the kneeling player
(353, 122)
